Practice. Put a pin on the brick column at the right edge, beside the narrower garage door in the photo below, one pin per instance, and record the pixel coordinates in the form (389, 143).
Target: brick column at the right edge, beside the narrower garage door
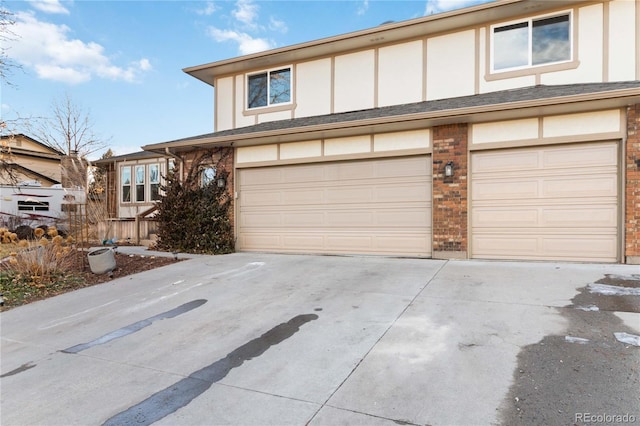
(632, 178)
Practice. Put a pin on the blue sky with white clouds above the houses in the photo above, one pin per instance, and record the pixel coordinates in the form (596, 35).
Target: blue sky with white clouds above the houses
(120, 62)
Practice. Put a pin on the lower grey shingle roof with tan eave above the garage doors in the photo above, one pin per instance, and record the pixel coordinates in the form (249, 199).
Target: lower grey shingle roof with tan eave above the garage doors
(506, 104)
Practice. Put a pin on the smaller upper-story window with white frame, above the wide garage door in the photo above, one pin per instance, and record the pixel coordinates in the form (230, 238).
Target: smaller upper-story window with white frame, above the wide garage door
(269, 88)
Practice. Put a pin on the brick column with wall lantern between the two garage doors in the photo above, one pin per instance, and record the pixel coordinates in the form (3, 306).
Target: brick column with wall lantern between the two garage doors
(450, 193)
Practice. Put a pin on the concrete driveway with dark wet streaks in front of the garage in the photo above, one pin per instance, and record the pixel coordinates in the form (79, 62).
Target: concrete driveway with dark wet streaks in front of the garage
(254, 339)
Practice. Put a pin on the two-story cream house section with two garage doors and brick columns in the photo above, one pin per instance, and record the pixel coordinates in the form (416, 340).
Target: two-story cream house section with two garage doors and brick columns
(508, 130)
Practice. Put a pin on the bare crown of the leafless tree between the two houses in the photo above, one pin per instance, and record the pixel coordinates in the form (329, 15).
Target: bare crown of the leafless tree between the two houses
(69, 129)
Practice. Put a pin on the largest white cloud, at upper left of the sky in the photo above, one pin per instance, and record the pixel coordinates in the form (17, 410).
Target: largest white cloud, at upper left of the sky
(50, 51)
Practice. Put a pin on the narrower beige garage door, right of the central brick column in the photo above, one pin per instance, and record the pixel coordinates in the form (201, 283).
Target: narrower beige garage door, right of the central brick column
(547, 203)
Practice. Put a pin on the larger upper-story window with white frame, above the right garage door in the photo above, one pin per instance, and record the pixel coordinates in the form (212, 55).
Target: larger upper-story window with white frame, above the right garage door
(532, 42)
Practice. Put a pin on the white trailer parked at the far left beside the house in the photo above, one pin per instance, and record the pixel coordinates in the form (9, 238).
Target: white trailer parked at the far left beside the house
(29, 203)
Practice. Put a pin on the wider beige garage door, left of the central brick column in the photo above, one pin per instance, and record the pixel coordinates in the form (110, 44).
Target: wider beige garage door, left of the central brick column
(353, 207)
